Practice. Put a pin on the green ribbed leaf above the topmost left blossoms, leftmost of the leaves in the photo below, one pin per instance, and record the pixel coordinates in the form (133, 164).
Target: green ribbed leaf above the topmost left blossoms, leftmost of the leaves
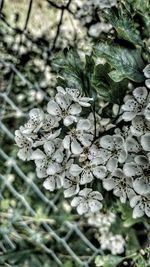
(69, 67)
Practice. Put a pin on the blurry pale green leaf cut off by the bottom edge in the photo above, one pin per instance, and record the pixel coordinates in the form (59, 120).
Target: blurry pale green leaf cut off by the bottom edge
(108, 261)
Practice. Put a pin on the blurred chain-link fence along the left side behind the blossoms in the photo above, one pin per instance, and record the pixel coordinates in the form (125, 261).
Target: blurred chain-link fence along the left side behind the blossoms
(37, 228)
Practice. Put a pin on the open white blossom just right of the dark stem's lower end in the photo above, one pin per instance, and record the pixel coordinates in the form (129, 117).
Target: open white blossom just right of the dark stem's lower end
(113, 150)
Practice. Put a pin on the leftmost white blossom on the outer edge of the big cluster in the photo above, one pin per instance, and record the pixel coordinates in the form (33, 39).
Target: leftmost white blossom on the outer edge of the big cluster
(25, 144)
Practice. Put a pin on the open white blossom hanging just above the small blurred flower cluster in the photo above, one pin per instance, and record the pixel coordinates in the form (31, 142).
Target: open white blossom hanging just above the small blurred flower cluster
(87, 201)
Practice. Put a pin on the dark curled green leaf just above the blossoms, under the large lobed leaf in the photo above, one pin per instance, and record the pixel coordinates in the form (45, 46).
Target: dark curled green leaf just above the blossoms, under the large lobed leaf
(106, 87)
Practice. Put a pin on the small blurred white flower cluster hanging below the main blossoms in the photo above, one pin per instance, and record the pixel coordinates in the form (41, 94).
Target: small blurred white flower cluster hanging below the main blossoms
(108, 241)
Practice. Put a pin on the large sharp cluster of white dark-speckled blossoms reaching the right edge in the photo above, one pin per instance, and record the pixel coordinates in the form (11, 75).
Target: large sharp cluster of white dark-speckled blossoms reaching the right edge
(72, 150)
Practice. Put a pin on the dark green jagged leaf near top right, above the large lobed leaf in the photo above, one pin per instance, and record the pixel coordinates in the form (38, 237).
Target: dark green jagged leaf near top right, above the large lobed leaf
(124, 24)
